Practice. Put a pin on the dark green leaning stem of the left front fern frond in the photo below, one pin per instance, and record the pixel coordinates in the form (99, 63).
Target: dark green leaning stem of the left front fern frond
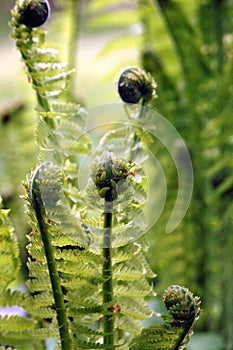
(53, 273)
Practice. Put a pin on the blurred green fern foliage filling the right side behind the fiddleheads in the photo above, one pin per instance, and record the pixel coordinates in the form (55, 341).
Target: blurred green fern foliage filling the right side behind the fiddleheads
(191, 59)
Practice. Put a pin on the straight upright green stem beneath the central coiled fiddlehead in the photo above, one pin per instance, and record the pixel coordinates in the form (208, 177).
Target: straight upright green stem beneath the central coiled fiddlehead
(108, 319)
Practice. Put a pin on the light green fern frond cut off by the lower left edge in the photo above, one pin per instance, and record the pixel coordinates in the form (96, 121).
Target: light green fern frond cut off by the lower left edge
(14, 330)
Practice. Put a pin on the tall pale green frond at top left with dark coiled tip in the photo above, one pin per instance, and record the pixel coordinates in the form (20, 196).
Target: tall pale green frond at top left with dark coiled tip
(48, 76)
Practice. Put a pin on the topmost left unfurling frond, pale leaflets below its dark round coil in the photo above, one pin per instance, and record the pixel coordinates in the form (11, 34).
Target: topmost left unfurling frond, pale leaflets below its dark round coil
(49, 78)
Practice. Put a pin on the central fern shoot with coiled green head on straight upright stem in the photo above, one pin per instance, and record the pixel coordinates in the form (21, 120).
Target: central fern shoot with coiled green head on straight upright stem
(109, 174)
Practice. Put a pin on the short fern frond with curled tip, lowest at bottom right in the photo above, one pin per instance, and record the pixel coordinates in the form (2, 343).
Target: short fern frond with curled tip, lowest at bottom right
(174, 334)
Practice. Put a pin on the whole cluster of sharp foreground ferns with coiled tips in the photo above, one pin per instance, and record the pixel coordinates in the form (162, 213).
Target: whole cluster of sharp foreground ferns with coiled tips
(88, 276)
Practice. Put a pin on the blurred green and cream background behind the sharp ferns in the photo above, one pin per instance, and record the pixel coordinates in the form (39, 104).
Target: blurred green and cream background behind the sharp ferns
(188, 47)
